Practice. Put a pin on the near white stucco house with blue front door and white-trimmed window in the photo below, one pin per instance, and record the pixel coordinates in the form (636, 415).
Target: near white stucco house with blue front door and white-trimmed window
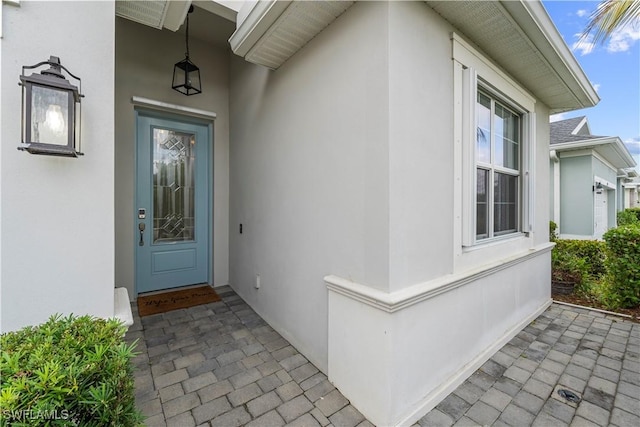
(379, 169)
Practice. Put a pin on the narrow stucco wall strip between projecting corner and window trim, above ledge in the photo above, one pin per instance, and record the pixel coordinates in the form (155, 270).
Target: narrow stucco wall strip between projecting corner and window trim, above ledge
(420, 145)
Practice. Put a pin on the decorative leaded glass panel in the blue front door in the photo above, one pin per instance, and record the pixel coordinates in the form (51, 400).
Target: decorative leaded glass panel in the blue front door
(173, 186)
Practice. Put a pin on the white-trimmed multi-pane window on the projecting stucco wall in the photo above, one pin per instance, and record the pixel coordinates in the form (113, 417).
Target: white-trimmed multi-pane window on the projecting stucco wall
(495, 119)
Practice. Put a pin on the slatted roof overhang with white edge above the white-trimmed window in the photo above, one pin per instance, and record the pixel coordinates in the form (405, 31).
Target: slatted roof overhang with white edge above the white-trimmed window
(521, 38)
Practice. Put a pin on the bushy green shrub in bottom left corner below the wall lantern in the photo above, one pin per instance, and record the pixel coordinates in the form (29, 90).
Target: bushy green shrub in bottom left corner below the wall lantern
(68, 371)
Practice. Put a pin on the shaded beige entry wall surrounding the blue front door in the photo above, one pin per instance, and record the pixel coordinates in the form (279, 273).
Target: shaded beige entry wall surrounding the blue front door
(144, 65)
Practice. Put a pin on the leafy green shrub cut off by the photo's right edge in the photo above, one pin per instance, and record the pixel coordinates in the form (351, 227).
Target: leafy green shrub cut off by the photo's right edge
(623, 263)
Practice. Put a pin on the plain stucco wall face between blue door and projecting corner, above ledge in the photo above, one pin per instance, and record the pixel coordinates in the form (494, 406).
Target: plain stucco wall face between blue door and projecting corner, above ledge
(309, 175)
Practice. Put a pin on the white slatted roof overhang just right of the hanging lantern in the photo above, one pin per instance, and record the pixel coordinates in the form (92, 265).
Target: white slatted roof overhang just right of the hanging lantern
(274, 30)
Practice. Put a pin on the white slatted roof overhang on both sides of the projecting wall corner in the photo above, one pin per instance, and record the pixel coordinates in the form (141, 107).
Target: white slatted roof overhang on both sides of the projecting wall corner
(518, 35)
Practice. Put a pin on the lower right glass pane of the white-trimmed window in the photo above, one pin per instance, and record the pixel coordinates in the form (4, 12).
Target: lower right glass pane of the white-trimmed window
(505, 204)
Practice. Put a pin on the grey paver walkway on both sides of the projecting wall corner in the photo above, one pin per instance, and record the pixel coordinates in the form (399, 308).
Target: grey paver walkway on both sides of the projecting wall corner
(220, 364)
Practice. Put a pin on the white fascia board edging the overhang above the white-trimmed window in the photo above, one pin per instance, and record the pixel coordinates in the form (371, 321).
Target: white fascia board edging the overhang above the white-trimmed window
(535, 21)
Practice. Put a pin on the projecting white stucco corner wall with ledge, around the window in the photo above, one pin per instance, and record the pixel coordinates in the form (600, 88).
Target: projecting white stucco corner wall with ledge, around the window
(343, 164)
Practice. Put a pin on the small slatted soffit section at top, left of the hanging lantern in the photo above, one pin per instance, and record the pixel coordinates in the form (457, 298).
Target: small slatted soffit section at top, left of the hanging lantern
(154, 13)
